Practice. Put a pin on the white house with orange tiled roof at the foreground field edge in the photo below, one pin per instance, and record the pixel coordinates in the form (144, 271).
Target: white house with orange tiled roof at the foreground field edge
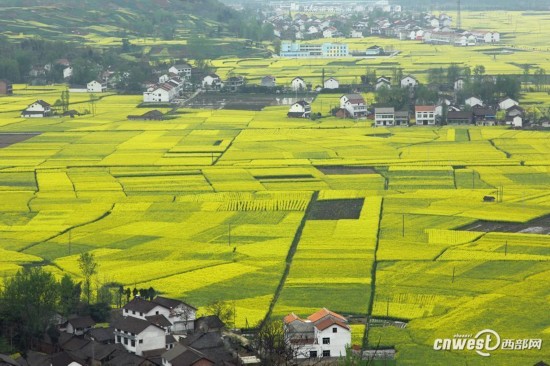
(322, 334)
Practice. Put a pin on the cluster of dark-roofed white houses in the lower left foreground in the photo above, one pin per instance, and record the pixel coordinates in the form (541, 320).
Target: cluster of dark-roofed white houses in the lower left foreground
(161, 332)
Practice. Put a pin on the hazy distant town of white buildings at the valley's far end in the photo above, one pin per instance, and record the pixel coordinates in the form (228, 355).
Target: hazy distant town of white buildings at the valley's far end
(392, 22)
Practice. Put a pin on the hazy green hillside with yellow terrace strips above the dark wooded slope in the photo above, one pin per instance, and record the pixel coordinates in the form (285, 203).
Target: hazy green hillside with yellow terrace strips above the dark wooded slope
(78, 19)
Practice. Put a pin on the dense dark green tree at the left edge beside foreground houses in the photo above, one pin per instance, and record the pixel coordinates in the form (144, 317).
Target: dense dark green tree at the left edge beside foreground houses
(28, 302)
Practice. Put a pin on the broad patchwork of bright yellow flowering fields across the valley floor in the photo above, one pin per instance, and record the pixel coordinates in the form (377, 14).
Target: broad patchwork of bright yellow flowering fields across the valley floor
(221, 205)
